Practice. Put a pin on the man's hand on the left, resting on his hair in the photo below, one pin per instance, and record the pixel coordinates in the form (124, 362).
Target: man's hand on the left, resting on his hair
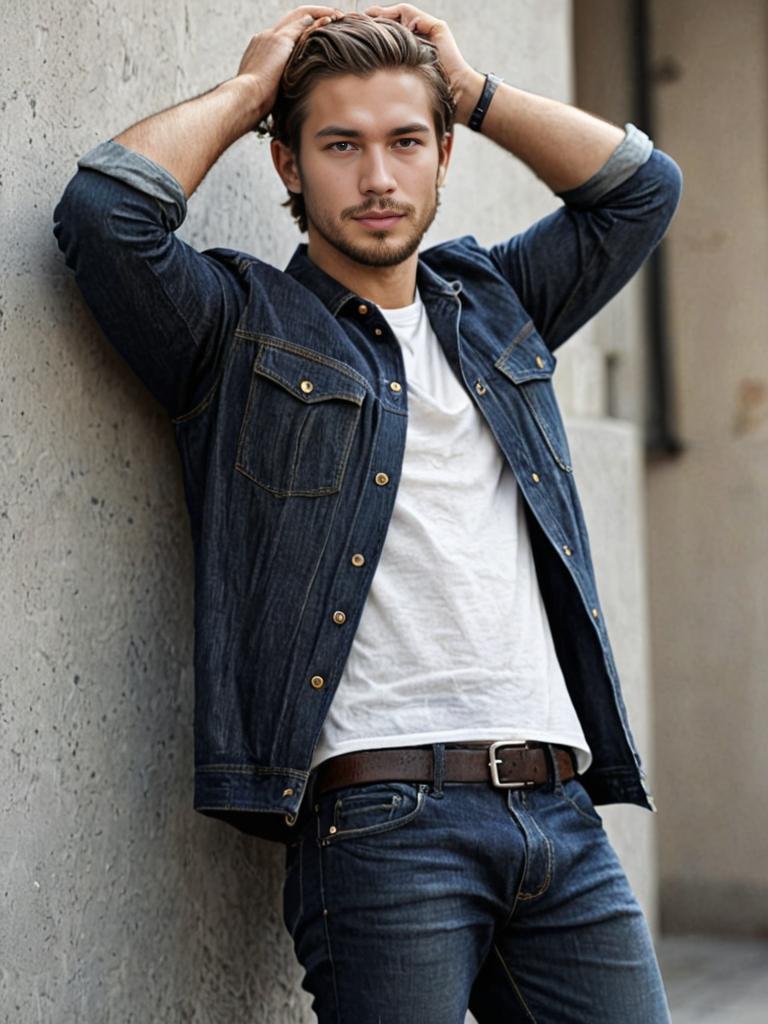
(269, 53)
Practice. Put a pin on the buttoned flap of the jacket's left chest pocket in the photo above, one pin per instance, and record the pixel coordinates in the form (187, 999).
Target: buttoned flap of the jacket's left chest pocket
(309, 378)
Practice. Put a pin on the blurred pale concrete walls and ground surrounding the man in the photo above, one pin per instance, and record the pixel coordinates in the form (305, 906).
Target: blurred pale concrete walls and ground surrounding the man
(119, 904)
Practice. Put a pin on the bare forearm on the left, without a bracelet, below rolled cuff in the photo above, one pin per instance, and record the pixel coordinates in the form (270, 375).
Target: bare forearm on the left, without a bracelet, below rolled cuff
(188, 140)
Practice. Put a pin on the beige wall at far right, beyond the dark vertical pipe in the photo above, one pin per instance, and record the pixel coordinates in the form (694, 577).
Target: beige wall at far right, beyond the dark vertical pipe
(709, 509)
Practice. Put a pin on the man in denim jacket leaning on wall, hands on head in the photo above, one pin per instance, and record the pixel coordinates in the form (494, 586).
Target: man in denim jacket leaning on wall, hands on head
(402, 666)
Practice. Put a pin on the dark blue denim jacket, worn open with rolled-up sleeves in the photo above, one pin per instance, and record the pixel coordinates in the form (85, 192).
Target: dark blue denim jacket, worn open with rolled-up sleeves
(292, 445)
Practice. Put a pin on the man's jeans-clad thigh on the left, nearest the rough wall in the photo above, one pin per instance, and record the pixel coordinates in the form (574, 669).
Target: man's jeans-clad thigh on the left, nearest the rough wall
(391, 919)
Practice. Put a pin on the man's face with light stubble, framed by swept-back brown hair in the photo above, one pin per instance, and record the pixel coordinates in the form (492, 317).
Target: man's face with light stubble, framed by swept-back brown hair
(370, 166)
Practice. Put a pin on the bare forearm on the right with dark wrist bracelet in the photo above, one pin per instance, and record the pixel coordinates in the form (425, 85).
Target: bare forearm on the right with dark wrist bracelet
(564, 146)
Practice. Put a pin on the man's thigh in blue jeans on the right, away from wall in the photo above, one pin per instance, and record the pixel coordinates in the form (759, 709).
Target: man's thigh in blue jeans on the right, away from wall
(580, 950)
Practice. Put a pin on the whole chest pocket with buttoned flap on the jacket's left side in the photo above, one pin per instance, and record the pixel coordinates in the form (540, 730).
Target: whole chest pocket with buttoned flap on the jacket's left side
(300, 423)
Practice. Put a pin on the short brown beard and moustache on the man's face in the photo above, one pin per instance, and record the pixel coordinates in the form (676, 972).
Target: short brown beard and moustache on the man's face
(379, 249)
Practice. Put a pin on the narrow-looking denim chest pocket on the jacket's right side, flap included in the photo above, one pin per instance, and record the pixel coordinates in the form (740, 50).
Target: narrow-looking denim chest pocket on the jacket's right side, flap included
(530, 366)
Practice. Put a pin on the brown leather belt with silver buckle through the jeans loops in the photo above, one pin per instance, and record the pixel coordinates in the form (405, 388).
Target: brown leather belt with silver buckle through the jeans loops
(507, 765)
